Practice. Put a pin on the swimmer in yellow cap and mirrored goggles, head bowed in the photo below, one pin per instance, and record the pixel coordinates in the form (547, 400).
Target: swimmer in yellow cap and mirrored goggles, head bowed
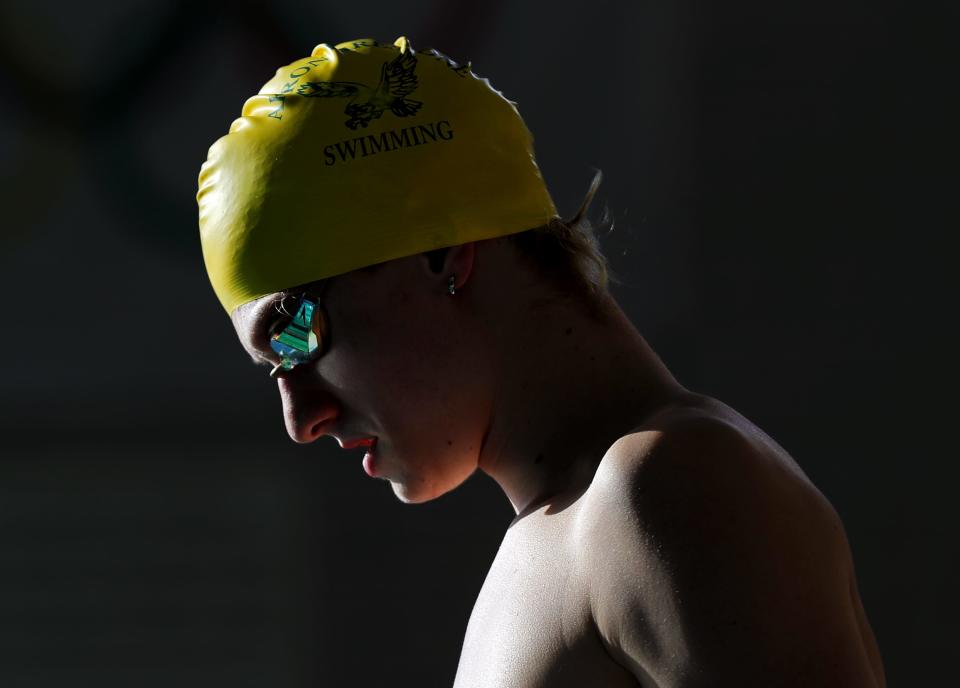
(378, 231)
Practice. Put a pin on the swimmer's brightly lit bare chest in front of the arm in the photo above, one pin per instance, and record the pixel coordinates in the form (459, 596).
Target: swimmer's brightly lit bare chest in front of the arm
(531, 623)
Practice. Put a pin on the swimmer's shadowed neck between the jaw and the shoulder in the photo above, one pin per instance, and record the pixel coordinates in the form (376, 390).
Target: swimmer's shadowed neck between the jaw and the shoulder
(568, 385)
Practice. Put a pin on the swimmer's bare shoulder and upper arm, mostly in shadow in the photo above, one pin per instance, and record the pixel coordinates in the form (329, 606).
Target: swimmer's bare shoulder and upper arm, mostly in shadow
(711, 558)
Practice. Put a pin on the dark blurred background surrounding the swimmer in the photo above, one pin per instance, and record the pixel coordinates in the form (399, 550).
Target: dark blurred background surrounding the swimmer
(780, 174)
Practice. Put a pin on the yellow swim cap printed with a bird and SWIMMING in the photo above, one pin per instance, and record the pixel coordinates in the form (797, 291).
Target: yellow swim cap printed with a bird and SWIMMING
(359, 154)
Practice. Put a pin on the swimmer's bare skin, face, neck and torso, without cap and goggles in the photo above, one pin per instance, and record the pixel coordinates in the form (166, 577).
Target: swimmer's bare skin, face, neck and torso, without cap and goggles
(661, 539)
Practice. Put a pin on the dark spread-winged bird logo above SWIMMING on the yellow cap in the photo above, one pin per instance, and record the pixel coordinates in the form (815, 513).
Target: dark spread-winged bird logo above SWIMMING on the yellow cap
(397, 81)
